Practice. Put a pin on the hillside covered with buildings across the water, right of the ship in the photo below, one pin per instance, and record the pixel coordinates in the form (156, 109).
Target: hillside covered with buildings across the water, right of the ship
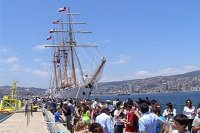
(181, 82)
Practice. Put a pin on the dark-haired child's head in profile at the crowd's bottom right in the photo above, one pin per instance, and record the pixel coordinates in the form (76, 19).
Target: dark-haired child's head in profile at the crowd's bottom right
(180, 123)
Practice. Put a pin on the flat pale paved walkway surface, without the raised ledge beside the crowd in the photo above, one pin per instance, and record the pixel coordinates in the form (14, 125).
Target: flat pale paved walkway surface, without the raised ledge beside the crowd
(17, 123)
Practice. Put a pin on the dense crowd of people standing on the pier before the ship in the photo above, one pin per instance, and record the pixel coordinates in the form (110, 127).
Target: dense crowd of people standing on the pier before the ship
(142, 116)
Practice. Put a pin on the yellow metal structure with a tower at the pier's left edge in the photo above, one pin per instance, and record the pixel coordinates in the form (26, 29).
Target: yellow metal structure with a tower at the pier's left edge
(11, 104)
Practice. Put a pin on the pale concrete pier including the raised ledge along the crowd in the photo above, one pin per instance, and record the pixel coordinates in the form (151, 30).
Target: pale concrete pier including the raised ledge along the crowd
(35, 123)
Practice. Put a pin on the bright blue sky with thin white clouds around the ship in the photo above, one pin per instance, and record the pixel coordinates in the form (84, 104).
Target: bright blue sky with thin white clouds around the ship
(139, 38)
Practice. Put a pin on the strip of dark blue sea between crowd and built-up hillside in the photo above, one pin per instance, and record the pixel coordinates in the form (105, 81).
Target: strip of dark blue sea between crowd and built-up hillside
(176, 98)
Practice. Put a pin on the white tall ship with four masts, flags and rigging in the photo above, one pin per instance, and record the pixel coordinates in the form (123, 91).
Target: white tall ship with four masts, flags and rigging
(76, 63)
